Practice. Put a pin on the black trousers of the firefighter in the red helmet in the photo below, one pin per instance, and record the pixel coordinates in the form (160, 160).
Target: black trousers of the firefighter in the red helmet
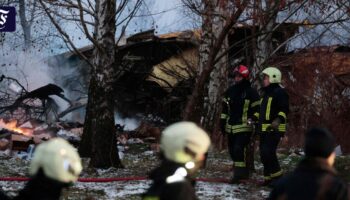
(237, 145)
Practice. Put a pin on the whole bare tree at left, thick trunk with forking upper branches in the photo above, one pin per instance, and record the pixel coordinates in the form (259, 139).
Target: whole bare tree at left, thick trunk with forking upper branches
(98, 22)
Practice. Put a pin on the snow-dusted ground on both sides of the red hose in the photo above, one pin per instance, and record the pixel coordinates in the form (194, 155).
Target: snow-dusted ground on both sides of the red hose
(139, 159)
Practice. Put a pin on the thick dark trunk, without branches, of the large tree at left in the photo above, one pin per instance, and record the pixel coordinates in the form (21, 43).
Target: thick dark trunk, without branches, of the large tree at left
(99, 137)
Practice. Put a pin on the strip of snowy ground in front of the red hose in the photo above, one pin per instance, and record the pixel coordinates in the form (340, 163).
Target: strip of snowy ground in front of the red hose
(133, 190)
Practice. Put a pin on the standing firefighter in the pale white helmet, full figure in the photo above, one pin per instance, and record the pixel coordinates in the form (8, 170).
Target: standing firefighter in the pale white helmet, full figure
(274, 109)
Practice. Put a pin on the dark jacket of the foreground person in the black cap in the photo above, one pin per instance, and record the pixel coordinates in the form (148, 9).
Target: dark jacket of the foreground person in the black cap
(315, 179)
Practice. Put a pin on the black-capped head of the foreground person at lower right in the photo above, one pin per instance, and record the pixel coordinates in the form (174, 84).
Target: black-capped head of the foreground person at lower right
(320, 143)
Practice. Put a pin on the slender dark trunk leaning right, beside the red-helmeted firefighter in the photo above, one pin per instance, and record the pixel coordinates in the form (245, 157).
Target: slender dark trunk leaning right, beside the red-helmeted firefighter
(210, 47)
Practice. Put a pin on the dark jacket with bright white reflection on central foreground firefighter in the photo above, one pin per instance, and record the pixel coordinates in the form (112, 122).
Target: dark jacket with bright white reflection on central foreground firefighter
(170, 184)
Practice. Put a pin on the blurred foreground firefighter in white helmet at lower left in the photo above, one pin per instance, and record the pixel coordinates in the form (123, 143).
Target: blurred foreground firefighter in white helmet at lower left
(55, 166)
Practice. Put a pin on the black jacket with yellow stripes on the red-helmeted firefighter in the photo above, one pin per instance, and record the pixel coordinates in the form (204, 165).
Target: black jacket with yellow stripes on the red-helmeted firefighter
(240, 103)
